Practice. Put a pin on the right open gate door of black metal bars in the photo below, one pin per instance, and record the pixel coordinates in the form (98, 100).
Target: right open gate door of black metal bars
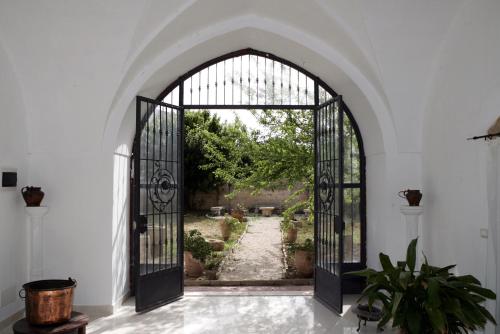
(328, 199)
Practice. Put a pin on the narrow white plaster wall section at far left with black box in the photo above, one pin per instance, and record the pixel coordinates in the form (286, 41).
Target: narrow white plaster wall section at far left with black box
(13, 156)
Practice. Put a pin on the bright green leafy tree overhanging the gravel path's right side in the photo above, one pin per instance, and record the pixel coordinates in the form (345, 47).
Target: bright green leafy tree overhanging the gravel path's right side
(278, 155)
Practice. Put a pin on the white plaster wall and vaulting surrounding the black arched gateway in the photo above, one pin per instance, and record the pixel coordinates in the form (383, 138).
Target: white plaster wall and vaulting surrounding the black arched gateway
(80, 65)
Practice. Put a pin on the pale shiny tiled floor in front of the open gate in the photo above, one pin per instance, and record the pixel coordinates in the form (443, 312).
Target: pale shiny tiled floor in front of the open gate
(228, 314)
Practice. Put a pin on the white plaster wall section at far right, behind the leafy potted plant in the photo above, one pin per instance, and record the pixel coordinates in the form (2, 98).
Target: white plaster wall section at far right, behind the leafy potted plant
(465, 101)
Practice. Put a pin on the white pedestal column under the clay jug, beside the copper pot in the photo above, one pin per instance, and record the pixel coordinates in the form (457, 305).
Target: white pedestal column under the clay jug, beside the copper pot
(35, 244)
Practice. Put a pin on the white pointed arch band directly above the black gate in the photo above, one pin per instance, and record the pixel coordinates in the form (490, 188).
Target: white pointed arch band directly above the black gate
(266, 35)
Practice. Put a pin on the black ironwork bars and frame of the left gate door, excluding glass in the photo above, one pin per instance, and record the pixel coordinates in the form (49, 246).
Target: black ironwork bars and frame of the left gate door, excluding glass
(167, 280)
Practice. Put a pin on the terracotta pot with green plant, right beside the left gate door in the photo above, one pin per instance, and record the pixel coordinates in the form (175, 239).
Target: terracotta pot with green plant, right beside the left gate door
(196, 250)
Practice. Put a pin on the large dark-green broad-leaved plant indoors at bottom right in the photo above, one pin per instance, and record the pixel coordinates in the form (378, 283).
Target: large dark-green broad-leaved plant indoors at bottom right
(431, 300)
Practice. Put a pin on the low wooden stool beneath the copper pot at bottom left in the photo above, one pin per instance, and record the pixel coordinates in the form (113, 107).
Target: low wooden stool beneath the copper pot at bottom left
(78, 322)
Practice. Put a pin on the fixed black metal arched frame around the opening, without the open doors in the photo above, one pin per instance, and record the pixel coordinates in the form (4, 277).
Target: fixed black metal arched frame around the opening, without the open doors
(350, 285)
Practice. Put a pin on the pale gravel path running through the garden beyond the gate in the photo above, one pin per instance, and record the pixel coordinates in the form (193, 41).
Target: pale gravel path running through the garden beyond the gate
(259, 255)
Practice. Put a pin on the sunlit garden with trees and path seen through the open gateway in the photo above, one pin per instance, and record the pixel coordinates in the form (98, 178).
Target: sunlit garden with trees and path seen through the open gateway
(254, 166)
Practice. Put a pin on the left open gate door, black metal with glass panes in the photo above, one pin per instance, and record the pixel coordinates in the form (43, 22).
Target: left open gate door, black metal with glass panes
(158, 219)
